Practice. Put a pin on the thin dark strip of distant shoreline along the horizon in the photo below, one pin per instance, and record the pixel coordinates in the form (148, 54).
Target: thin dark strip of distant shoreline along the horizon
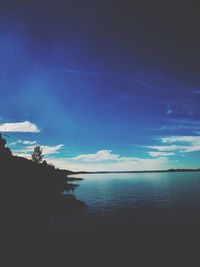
(148, 171)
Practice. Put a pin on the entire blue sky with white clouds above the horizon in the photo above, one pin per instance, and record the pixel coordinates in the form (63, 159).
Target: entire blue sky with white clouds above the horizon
(101, 85)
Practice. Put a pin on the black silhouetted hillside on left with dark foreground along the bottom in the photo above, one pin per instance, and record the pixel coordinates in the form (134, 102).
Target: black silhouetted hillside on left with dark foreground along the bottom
(40, 228)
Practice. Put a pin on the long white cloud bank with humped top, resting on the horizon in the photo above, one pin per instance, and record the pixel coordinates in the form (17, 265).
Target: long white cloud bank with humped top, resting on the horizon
(105, 160)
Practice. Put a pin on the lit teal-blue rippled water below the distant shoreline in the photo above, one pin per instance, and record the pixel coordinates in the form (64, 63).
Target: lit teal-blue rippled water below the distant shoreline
(108, 193)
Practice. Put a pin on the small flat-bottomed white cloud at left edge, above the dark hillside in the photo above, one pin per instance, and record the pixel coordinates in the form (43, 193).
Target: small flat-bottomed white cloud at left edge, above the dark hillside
(19, 127)
